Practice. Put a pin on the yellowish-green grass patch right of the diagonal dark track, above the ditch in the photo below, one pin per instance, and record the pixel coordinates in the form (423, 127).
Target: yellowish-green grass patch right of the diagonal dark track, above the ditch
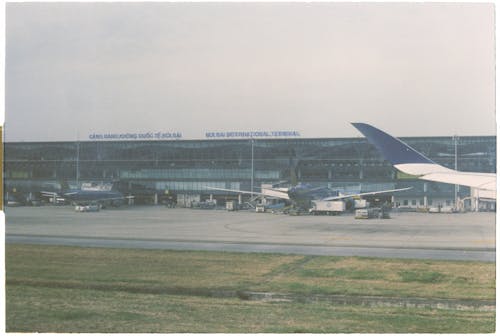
(388, 277)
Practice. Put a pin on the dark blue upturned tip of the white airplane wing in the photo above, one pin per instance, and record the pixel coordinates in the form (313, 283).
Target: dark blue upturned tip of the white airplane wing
(393, 150)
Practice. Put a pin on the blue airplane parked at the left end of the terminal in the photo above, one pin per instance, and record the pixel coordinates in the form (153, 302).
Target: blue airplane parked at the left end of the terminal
(90, 194)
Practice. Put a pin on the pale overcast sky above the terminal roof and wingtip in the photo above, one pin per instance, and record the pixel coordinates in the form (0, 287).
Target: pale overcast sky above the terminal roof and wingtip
(77, 71)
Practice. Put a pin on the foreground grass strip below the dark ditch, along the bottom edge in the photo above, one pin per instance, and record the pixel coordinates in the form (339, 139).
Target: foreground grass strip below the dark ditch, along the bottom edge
(68, 310)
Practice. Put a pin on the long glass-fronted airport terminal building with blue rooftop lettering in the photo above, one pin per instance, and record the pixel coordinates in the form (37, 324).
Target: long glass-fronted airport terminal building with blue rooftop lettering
(153, 170)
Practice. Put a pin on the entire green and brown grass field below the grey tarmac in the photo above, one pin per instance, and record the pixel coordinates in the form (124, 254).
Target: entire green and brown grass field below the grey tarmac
(69, 289)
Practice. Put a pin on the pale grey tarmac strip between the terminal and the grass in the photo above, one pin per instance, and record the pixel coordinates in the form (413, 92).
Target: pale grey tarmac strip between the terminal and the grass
(463, 236)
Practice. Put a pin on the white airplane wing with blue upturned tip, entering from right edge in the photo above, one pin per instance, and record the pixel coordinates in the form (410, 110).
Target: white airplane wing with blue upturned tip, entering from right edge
(409, 161)
